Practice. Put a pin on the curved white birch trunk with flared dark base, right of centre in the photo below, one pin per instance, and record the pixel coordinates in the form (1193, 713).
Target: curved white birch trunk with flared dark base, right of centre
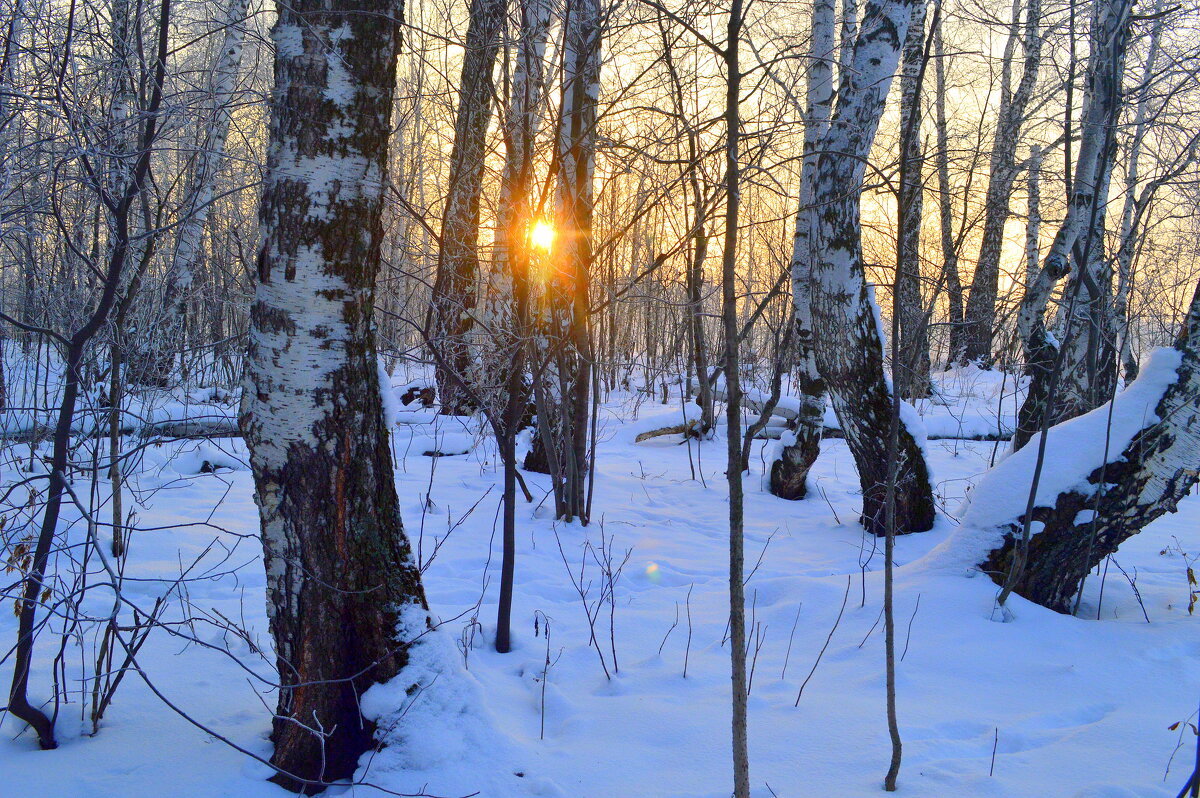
(849, 340)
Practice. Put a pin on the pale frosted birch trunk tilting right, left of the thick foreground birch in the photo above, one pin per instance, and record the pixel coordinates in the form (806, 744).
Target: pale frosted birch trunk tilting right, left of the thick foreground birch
(201, 189)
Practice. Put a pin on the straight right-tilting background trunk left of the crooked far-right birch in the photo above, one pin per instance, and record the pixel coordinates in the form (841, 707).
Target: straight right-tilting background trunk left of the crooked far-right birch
(981, 311)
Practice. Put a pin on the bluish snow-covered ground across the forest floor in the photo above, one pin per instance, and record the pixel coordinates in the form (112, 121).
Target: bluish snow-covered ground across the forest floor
(1046, 705)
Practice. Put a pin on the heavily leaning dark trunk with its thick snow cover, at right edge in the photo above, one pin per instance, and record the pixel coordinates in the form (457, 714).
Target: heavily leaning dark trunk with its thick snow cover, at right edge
(1106, 476)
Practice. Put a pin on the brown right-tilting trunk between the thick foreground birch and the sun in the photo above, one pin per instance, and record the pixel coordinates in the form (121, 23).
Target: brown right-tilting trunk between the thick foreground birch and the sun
(455, 289)
